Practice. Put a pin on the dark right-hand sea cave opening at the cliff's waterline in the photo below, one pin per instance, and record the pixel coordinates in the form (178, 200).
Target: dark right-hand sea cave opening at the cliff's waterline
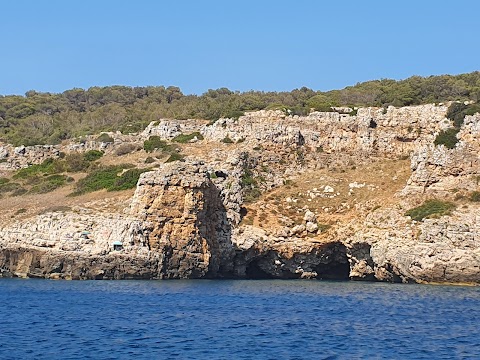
(337, 268)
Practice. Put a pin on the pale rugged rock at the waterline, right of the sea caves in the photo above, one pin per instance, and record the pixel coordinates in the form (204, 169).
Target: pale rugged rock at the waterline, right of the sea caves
(435, 250)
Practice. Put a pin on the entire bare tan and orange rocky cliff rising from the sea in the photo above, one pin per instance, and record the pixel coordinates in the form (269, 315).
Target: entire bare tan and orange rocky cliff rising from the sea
(193, 219)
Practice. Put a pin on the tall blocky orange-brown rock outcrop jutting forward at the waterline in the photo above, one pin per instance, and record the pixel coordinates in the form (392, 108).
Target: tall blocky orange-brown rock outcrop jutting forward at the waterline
(185, 219)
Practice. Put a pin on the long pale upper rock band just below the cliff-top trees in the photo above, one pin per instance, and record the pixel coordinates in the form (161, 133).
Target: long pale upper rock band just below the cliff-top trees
(373, 131)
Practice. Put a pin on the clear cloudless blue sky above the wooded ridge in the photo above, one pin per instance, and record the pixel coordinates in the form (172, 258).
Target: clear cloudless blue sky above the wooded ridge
(55, 45)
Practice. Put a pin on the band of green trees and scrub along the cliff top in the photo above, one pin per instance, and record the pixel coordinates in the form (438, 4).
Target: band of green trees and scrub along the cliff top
(40, 118)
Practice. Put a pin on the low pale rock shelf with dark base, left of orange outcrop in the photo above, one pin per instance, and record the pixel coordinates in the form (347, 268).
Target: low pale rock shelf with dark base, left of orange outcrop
(77, 246)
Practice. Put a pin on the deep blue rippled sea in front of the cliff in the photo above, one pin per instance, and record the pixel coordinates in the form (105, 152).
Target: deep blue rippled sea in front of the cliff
(203, 319)
